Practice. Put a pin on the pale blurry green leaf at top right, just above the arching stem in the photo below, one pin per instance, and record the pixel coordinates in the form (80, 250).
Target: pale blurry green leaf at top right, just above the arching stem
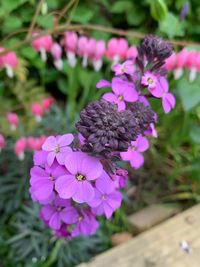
(171, 26)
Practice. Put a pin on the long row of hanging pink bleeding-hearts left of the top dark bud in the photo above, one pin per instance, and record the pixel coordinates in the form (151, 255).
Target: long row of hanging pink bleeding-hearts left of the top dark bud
(89, 49)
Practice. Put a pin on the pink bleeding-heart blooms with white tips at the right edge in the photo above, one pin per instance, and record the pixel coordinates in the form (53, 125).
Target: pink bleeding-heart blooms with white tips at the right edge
(184, 59)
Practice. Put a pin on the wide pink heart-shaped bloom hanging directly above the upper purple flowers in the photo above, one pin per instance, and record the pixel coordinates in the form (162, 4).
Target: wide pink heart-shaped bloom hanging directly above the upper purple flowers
(117, 49)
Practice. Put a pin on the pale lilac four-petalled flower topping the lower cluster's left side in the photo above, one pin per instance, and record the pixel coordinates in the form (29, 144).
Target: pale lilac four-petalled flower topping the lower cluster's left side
(57, 148)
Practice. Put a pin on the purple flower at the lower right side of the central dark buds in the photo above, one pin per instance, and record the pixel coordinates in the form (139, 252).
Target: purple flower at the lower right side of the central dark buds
(134, 153)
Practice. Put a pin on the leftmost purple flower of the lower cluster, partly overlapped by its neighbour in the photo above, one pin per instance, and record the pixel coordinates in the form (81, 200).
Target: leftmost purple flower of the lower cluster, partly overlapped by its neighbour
(42, 180)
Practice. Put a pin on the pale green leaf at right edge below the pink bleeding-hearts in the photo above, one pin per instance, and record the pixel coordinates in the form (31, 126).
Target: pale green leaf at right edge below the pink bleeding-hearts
(189, 92)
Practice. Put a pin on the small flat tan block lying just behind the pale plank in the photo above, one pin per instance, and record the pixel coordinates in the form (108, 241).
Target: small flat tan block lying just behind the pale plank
(150, 216)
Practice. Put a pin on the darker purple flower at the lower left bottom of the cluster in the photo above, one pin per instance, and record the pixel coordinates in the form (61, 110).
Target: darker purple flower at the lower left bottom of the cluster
(58, 212)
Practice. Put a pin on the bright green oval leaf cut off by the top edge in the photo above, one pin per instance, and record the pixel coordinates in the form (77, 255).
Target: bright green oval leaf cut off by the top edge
(158, 9)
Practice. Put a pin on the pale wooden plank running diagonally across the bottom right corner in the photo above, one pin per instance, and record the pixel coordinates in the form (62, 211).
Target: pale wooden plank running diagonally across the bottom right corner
(158, 247)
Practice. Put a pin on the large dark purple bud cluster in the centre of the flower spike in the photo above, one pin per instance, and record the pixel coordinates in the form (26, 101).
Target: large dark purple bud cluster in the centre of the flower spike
(107, 129)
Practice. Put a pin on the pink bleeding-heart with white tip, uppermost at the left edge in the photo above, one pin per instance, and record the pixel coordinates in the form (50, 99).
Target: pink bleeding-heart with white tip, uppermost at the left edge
(9, 62)
